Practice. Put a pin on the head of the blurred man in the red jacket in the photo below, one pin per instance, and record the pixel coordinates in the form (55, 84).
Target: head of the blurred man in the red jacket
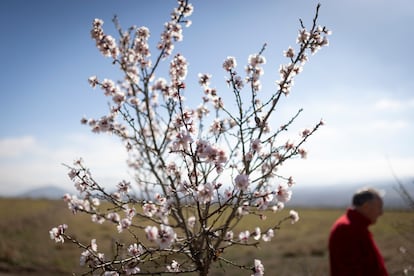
(369, 203)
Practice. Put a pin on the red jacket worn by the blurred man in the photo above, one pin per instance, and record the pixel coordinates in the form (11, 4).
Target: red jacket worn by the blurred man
(352, 250)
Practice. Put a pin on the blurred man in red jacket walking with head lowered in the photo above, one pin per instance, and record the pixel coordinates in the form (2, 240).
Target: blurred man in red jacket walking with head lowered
(352, 249)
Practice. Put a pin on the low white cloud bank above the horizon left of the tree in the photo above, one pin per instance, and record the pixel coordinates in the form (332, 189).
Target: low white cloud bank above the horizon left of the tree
(35, 164)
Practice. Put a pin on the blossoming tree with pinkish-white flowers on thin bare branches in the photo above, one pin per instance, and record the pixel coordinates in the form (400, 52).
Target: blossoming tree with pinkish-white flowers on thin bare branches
(198, 174)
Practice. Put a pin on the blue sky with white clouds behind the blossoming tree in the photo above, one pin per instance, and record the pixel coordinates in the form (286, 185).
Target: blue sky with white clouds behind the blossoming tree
(361, 85)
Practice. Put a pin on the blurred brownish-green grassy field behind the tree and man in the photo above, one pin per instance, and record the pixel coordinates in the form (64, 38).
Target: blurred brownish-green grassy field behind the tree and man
(299, 249)
